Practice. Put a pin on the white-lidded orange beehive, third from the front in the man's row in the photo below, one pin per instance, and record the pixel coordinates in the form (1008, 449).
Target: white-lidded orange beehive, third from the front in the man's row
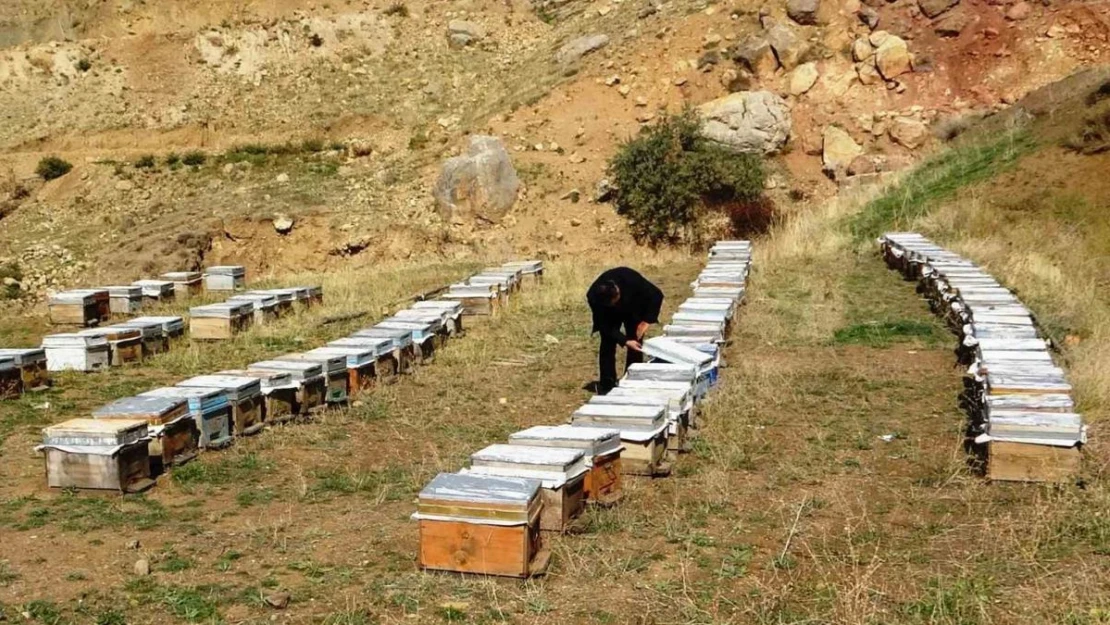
(602, 449)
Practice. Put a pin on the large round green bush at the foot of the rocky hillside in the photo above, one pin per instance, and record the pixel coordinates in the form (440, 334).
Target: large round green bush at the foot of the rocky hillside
(670, 176)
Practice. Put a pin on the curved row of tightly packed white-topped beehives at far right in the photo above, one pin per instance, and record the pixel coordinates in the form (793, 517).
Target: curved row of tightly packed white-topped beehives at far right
(1022, 411)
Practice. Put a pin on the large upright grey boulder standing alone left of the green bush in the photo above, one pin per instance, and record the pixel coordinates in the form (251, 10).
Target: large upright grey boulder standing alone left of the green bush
(480, 185)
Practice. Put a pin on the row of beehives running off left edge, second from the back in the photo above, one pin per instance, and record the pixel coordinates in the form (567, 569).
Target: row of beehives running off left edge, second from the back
(137, 339)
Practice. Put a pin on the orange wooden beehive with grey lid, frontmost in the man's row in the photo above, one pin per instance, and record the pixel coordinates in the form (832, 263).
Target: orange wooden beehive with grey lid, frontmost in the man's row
(482, 525)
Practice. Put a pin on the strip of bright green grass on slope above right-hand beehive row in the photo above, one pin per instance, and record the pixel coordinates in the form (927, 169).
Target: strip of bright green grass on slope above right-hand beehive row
(937, 180)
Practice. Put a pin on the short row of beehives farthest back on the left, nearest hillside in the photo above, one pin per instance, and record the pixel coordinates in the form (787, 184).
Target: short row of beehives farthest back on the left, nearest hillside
(93, 307)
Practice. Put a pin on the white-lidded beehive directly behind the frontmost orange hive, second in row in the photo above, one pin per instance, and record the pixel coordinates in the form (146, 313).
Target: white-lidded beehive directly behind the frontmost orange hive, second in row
(562, 472)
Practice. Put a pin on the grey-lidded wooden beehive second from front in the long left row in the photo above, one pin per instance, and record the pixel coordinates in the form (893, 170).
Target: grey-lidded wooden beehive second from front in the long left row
(175, 438)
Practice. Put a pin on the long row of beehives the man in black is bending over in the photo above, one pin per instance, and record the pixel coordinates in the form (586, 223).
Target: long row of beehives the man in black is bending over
(489, 518)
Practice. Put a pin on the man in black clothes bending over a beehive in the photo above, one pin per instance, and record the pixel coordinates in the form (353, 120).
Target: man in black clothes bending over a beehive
(621, 297)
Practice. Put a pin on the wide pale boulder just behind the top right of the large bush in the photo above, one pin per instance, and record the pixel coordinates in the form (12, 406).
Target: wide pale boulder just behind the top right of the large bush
(749, 122)
